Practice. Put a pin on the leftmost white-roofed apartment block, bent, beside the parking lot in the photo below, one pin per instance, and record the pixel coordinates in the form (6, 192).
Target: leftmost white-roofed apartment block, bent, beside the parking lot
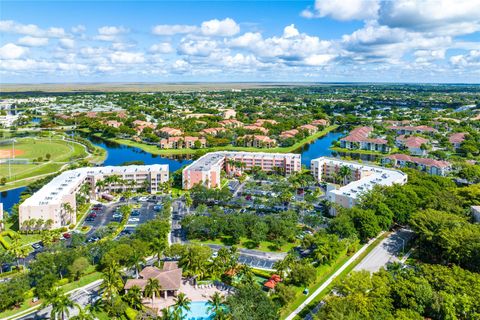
(50, 202)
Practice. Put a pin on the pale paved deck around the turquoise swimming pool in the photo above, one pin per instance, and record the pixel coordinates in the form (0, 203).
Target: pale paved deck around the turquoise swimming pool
(194, 294)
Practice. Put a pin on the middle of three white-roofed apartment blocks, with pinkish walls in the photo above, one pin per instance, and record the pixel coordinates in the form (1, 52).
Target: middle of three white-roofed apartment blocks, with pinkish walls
(207, 169)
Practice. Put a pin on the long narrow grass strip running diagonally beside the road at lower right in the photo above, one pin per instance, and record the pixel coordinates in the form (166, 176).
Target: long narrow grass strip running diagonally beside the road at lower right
(342, 275)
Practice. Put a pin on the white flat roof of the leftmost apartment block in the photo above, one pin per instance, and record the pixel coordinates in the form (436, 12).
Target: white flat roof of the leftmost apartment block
(65, 183)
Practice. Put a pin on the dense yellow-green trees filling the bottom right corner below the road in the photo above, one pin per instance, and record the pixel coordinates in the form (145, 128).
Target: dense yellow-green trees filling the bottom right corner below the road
(423, 292)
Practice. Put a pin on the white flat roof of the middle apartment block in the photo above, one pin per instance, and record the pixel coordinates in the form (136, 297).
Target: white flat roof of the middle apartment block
(209, 160)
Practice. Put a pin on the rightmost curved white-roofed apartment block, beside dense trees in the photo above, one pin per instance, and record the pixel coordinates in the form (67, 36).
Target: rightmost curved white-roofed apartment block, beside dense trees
(362, 179)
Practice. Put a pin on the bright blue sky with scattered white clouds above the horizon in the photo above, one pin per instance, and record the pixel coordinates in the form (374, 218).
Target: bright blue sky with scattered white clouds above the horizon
(316, 40)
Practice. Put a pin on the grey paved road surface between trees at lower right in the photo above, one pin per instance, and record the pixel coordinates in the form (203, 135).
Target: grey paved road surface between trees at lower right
(387, 251)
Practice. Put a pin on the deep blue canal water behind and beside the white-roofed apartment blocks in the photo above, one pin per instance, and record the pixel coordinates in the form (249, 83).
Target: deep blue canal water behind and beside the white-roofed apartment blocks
(119, 154)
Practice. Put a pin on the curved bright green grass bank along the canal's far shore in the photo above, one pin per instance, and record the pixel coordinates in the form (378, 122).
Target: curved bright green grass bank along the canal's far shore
(153, 149)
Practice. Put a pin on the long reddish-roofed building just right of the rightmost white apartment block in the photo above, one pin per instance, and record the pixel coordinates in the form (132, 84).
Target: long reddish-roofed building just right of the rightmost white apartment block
(431, 166)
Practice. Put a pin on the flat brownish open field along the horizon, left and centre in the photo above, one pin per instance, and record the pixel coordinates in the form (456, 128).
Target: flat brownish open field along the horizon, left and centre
(145, 86)
